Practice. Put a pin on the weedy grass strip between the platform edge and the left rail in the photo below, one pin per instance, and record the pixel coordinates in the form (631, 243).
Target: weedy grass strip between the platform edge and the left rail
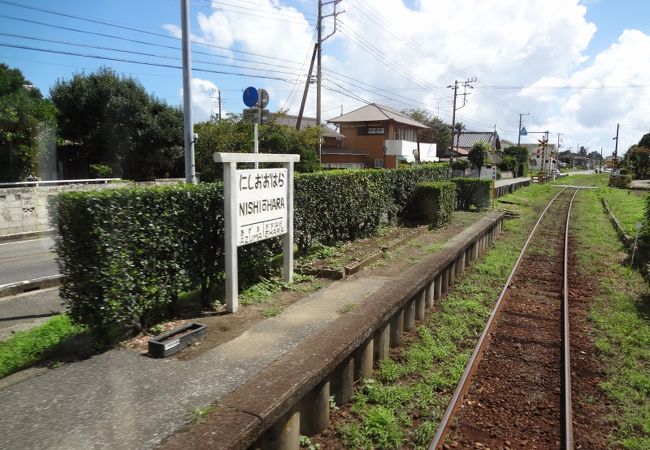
(404, 403)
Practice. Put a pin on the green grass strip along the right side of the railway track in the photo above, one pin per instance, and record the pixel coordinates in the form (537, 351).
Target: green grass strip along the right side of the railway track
(621, 321)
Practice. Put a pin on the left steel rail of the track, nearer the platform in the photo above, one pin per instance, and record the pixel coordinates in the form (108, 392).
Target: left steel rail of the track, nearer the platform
(474, 360)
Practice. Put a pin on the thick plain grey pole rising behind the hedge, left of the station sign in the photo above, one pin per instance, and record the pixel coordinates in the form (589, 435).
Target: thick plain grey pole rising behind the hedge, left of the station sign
(190, 169)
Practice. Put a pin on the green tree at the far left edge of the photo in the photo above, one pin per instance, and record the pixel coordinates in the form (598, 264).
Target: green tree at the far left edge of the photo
(27, 125)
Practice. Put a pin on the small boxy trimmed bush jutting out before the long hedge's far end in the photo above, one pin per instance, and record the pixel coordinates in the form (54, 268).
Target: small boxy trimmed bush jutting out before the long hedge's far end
(433, 203)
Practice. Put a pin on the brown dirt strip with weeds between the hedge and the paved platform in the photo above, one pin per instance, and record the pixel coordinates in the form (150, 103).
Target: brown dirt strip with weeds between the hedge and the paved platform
(223, 327)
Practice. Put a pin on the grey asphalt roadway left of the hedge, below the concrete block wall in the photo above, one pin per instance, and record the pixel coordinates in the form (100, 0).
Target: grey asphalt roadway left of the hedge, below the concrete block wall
(26, 260)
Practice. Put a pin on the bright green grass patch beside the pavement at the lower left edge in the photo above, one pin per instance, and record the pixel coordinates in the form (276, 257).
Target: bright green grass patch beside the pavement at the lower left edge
(27, 347)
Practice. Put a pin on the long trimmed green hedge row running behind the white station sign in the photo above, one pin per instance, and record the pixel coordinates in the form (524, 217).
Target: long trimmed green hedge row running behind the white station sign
(127, 254)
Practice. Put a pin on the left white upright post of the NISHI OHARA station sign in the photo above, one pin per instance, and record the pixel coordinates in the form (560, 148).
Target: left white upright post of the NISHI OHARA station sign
(230, 243)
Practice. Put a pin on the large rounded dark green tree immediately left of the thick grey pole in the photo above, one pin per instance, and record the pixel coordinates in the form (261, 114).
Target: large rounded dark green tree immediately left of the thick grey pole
(105, 118)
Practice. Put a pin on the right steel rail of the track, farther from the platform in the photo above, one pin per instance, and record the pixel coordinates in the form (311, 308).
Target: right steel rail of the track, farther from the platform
(567, 412)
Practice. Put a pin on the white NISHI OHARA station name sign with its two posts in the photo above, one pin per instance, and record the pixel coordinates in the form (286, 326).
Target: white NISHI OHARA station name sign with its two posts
(258, 205)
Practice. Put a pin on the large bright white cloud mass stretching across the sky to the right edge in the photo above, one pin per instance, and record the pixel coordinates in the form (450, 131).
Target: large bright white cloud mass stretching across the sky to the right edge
(410, 56)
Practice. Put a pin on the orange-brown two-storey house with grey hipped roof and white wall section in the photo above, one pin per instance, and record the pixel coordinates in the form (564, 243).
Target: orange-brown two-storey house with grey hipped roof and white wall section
(376, 136)
